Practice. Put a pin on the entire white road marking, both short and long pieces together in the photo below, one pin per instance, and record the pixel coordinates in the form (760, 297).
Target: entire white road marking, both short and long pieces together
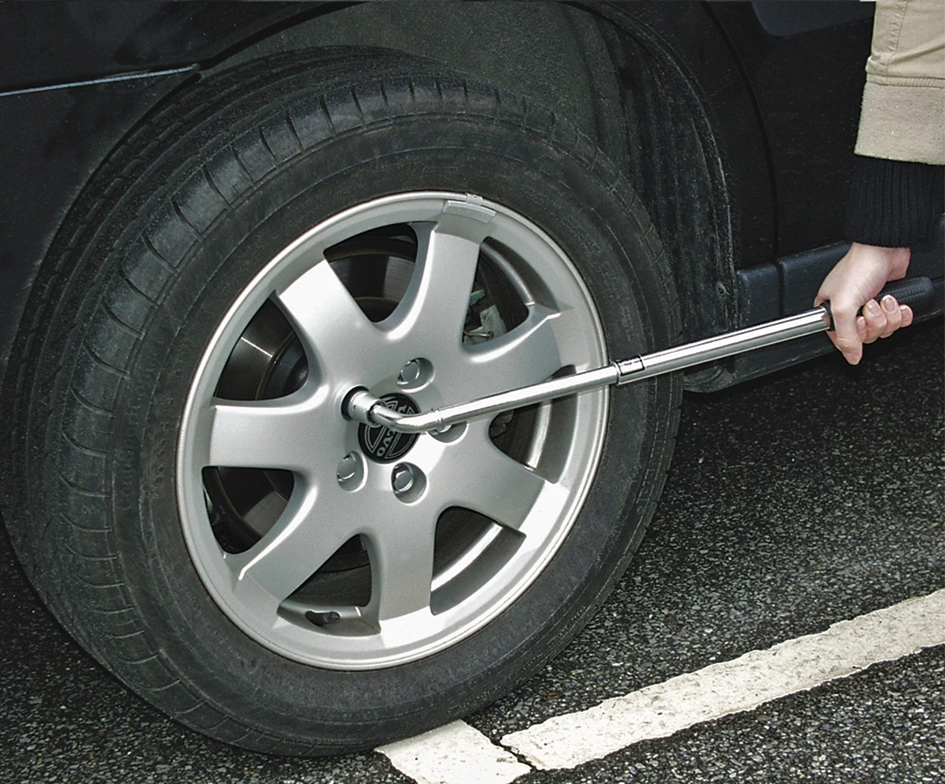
(459, 754)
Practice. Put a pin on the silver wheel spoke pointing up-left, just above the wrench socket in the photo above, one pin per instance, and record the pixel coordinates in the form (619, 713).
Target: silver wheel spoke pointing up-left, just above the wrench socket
(329, 322)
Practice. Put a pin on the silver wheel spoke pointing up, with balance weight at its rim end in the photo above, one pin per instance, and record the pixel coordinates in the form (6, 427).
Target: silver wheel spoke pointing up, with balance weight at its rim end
(434, 307)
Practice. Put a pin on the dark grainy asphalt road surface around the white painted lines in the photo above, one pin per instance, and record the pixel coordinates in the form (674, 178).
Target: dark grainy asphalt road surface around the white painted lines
(795, 502)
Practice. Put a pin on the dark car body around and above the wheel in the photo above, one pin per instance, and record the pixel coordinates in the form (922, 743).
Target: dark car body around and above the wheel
(742, 155)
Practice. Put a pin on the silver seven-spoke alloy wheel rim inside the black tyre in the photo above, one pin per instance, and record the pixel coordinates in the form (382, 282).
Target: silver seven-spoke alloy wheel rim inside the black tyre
(347, 548)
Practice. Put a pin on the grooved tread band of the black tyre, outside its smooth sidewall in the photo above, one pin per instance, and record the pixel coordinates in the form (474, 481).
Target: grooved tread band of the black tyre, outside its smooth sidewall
(83, 583)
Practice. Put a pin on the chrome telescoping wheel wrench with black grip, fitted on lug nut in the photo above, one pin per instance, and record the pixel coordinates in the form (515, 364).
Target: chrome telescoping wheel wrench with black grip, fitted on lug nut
(364, 407)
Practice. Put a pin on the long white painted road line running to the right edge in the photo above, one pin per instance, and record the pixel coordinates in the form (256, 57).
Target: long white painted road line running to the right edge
(721, 689)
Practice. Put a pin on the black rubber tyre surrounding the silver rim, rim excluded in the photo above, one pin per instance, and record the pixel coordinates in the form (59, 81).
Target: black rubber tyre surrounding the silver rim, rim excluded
(166, 236)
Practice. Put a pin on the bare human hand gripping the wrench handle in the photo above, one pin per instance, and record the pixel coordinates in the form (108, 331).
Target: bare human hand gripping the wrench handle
(852, 284)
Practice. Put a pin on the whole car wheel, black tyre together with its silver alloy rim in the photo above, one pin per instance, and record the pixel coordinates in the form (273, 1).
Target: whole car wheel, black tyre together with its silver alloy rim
(186, 494)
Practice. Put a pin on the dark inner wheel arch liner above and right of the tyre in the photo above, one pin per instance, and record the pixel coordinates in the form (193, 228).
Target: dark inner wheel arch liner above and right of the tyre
(636, 81)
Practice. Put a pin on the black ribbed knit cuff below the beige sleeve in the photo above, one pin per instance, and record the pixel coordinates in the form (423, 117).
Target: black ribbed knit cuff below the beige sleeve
(894, 204)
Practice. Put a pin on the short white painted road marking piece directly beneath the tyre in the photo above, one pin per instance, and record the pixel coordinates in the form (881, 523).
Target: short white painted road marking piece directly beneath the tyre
(454, 754)
